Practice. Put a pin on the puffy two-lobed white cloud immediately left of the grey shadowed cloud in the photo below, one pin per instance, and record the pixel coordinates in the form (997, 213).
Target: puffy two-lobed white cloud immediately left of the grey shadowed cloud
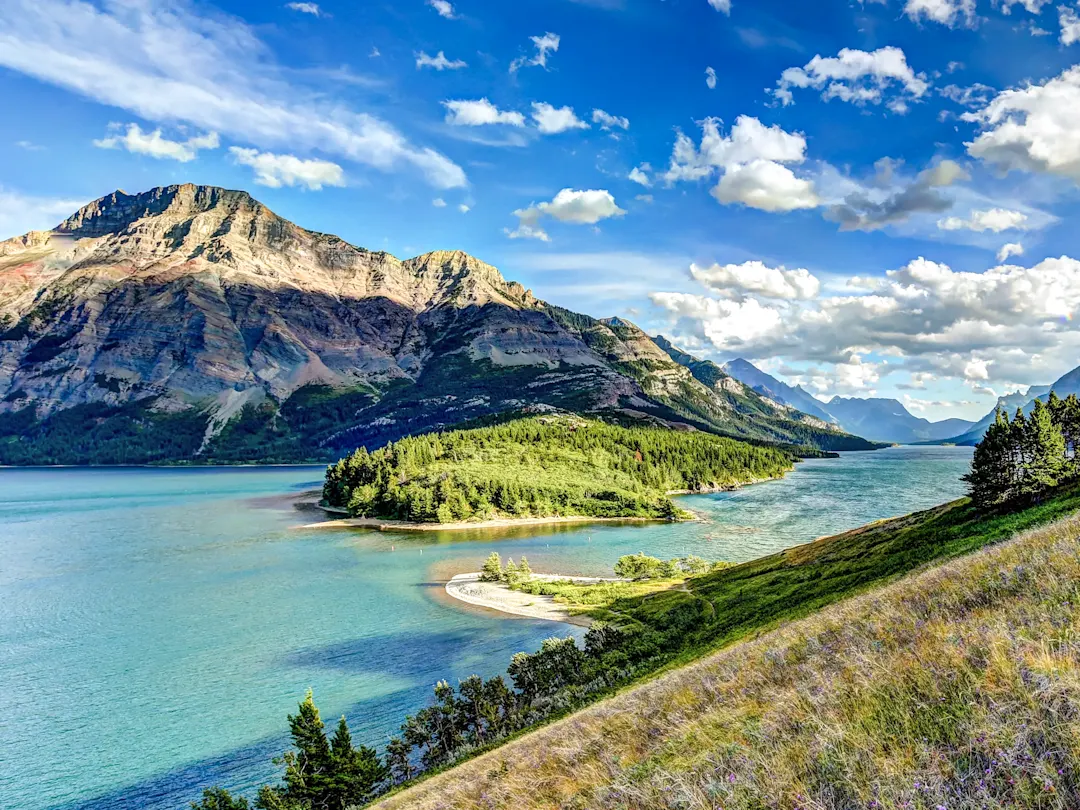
(750, 160)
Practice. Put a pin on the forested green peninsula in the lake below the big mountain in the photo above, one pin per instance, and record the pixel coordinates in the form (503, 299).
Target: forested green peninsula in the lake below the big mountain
(543, 467)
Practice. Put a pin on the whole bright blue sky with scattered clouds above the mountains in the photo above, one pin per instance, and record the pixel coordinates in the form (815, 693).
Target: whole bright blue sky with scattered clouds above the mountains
(825, 188)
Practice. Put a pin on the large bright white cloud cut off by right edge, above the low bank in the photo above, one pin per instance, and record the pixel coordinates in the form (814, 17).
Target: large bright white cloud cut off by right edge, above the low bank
(1033, 129)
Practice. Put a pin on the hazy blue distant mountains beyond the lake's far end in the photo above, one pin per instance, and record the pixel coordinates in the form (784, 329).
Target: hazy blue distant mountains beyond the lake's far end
(880, 421)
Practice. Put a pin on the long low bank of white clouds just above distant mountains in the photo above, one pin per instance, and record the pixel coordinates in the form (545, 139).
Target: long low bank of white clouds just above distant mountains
(997, 327)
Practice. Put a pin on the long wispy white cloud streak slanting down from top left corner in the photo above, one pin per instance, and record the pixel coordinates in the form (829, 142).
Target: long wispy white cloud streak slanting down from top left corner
(167, 64)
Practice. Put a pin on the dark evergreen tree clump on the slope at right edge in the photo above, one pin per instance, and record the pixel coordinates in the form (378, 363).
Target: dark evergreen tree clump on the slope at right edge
(1020, 460)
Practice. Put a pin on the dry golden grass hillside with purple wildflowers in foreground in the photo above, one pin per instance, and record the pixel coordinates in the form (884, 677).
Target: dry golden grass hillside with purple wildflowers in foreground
(955, 688)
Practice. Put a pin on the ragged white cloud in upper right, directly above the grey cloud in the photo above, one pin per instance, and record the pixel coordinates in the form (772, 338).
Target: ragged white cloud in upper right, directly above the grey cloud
(859, 77)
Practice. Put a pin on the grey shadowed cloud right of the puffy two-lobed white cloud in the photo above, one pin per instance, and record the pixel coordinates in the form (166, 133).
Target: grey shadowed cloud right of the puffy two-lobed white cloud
(872, 210)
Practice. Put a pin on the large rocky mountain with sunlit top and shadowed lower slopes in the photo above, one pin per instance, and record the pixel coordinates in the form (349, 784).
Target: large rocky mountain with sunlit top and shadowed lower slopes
(193, 323)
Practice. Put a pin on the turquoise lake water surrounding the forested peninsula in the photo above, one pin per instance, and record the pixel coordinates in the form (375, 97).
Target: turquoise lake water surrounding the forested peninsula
(158, 626)
